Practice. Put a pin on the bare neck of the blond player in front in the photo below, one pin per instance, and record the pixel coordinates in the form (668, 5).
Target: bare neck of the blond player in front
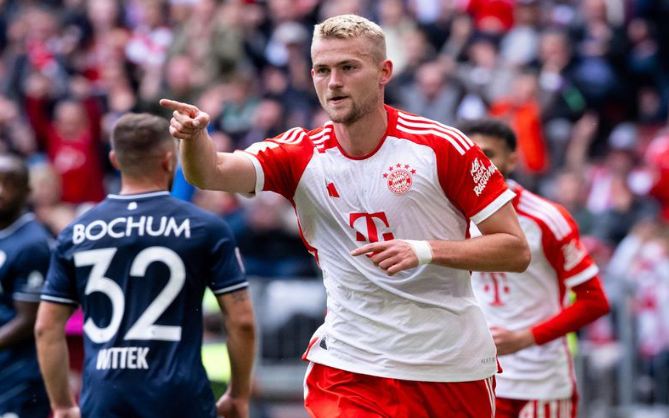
(362, 137)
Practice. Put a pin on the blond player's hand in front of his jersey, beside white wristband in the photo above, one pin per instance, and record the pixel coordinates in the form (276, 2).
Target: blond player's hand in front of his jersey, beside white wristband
(392, 256)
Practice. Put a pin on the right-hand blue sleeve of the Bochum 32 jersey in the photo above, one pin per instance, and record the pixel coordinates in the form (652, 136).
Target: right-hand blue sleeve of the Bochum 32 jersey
(226, 271)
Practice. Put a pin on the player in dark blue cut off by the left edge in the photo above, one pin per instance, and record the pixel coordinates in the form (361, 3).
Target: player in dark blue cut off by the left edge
(24, 260)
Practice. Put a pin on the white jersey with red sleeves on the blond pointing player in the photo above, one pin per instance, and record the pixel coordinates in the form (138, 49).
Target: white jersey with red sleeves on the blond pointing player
(424, 181)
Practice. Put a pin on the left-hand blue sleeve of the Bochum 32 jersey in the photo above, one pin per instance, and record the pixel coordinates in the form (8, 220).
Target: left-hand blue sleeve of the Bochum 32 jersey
(60, 284)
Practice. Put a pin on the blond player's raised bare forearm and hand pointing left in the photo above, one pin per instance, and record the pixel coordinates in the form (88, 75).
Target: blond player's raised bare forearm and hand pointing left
(203, 166)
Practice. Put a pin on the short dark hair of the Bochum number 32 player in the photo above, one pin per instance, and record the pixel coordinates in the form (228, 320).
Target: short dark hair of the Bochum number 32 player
(137, 137)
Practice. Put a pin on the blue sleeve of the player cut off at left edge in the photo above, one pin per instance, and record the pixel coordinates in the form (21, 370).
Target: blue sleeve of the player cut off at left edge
(30, 270)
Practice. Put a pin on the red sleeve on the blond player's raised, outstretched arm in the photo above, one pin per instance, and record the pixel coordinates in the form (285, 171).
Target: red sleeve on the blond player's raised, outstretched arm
(280, 161)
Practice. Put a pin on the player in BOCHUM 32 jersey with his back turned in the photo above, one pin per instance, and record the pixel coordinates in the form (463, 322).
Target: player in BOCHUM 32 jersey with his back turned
(138, 263)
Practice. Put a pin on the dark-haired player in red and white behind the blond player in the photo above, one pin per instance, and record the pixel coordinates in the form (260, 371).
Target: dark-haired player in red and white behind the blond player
(529, 313)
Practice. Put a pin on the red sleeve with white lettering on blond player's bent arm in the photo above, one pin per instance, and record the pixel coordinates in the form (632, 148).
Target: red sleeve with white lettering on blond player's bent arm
(470, 180)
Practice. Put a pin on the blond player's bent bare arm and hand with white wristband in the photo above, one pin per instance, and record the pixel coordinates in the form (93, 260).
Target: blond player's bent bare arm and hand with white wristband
(502, 247)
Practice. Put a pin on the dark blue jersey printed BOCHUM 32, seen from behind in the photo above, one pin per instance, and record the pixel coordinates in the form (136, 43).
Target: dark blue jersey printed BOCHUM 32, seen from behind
(139, 266)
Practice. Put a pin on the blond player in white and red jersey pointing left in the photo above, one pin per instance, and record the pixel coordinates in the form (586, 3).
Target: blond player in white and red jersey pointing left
(383, 200)
